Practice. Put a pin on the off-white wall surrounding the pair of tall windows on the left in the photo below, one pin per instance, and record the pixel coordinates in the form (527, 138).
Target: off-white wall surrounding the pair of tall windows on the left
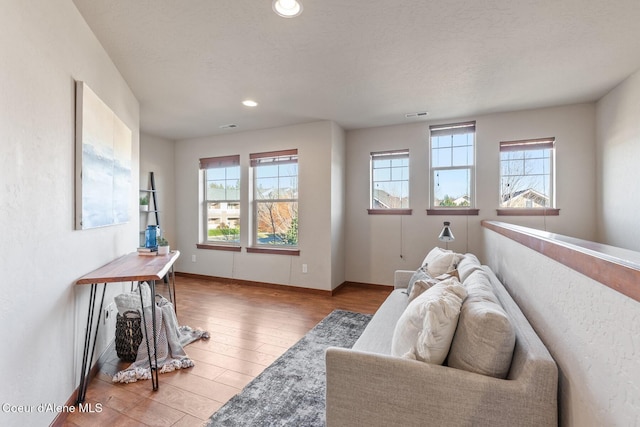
(315, 144)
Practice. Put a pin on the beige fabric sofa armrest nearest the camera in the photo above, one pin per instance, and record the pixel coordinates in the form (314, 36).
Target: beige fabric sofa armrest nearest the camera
(368, 389)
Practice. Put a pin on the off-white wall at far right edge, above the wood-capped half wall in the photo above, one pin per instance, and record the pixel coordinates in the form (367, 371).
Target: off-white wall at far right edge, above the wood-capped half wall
(618, 152)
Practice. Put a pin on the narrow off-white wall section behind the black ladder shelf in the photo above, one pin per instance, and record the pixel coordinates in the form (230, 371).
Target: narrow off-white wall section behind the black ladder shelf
(157, 155)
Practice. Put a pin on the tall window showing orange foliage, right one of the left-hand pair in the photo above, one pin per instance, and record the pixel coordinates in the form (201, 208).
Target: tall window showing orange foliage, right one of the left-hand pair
(275, 197)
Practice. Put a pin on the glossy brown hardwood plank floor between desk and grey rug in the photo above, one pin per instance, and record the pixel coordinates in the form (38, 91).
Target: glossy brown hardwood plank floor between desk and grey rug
(250, 327)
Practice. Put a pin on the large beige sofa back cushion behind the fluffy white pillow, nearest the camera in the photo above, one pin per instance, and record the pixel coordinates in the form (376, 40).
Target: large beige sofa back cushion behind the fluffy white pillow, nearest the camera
(484, 339)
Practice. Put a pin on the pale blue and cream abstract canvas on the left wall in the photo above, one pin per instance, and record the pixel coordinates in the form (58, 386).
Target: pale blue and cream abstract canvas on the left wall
(103, 163)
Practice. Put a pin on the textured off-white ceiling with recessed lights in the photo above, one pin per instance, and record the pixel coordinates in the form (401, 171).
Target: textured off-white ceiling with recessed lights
(360, 63)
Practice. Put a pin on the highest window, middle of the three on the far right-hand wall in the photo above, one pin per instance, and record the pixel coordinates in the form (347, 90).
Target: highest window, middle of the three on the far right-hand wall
(452, 165)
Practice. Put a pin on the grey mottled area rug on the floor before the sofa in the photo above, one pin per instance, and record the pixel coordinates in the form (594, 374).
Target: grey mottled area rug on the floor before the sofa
(291, 391)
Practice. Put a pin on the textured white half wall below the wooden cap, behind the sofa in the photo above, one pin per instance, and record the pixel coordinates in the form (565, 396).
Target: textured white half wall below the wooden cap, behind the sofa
(592, 332)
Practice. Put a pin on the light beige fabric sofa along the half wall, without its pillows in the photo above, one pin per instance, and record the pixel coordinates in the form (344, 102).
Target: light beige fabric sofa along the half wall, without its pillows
(367, 386)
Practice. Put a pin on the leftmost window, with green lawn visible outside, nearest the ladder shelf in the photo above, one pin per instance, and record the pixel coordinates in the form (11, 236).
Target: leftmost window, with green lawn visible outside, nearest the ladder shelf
(221, 199)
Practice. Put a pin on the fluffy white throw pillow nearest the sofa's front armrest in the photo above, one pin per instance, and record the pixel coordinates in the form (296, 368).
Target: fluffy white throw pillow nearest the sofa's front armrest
(425, 330)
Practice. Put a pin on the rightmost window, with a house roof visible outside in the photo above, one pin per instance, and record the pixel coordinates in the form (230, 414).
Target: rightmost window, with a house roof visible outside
(526, 173)
